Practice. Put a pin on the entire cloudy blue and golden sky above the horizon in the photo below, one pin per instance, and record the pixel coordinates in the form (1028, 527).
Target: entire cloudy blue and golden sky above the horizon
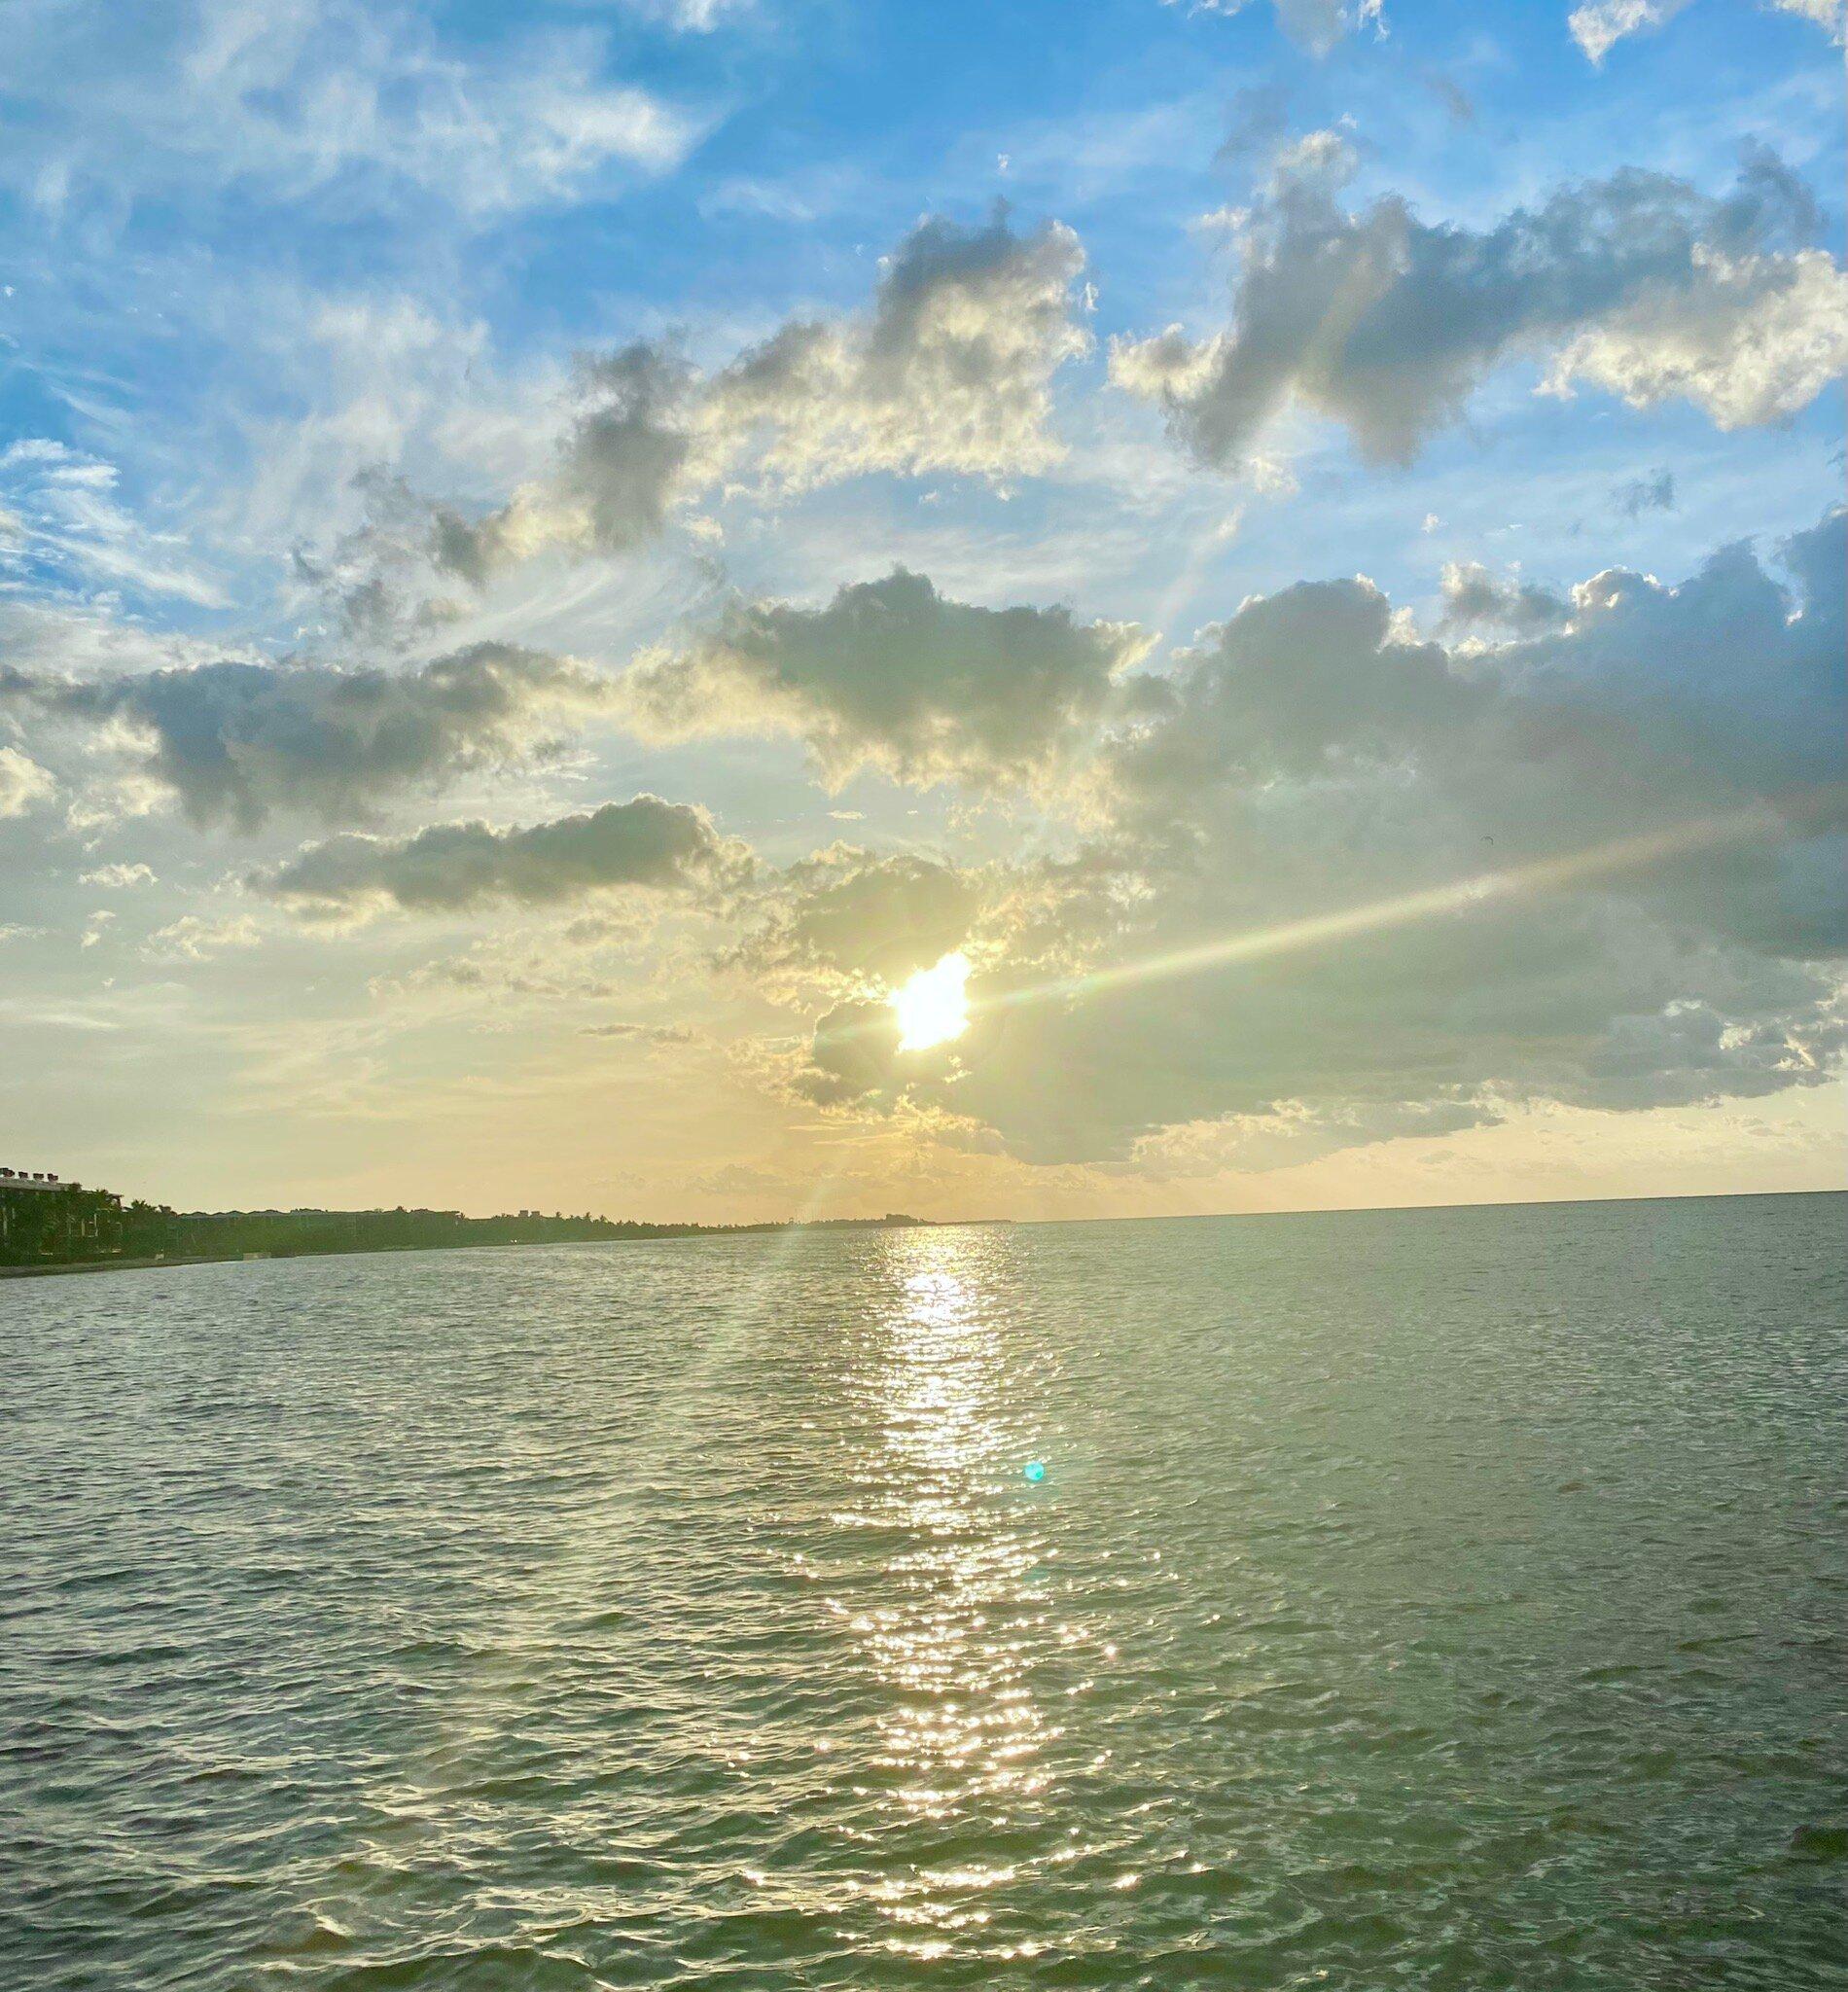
(555, 557)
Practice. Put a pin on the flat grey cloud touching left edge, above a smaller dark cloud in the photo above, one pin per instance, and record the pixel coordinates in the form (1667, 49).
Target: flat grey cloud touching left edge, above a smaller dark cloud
(236, 742)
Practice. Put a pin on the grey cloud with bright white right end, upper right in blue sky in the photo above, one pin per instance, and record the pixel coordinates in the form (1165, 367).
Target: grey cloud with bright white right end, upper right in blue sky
(1638, 284)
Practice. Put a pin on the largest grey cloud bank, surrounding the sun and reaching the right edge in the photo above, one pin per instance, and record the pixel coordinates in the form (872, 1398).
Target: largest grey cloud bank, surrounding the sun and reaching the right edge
(1313, 756)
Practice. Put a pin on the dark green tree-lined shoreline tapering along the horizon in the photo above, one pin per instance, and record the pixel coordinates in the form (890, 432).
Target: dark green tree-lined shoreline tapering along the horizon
(49, 1226)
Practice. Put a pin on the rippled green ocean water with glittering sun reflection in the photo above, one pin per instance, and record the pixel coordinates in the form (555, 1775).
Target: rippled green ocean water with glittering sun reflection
(1429, 1601)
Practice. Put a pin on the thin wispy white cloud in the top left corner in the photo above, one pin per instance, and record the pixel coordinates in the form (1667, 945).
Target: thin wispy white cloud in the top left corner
(308, 99)
